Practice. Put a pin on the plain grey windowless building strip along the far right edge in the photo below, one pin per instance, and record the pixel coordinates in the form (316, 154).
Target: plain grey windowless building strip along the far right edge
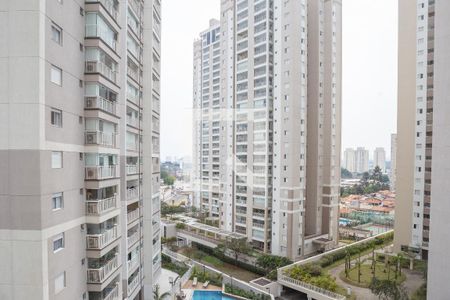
(438, 262)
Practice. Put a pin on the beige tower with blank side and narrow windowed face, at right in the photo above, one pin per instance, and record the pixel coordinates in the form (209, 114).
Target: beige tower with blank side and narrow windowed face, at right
(415, 125)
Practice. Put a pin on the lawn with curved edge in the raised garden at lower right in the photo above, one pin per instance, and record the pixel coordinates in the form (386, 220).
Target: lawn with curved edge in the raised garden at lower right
(381, 273)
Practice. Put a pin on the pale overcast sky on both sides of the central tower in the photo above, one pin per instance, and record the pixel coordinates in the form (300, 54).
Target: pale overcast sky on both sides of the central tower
(369, 71)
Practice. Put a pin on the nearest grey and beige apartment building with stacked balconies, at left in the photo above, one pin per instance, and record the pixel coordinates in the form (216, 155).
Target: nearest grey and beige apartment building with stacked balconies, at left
(79, 149)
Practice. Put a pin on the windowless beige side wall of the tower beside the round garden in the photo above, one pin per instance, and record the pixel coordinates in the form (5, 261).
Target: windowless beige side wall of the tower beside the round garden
(405, 123)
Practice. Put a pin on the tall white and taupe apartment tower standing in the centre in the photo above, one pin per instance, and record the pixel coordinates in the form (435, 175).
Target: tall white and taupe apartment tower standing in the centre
(267, 100)
